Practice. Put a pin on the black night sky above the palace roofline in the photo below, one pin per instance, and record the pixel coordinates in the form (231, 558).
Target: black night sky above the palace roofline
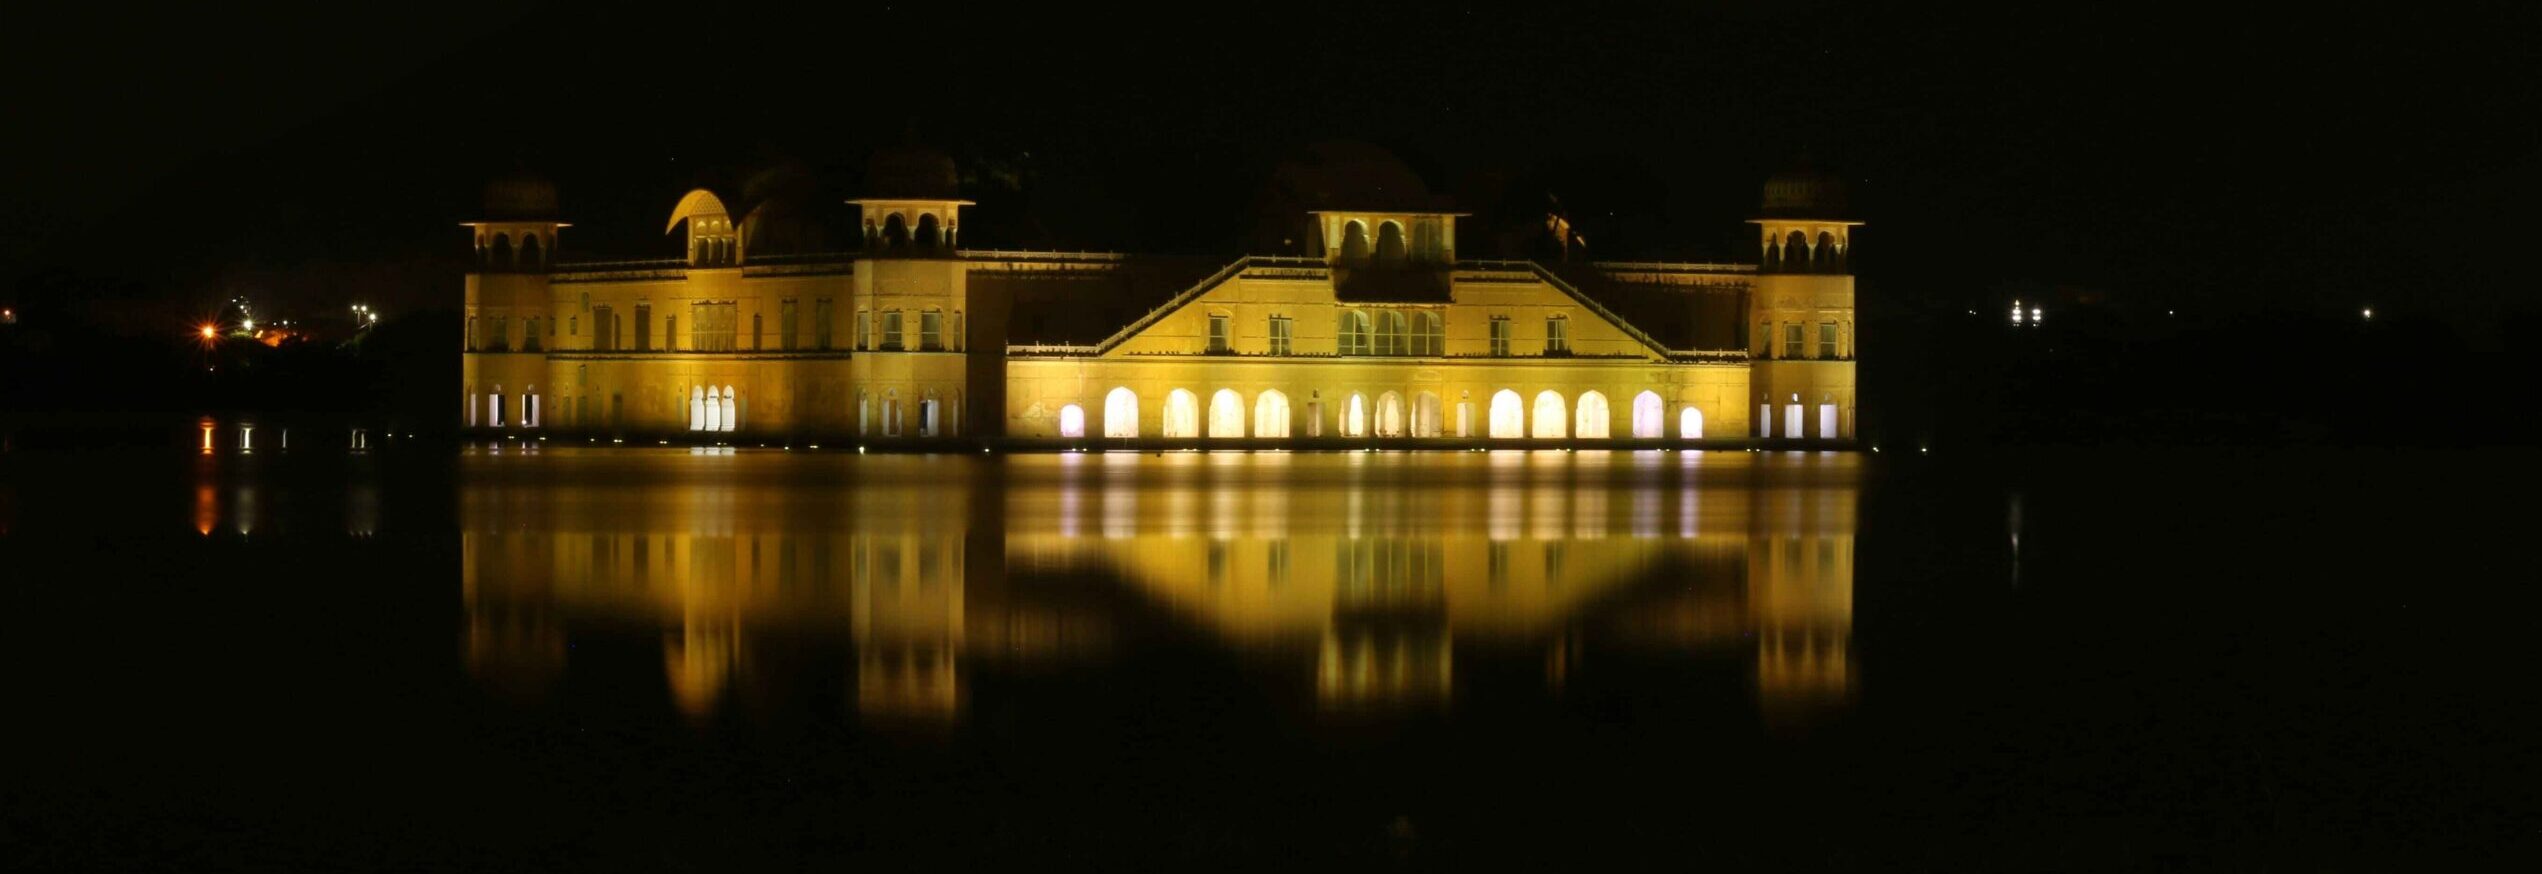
(2218, 159)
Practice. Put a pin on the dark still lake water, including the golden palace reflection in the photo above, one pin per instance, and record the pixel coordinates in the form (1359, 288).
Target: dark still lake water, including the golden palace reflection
(675, 659)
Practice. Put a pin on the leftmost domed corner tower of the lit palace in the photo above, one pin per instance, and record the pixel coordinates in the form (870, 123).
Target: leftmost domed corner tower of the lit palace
(510, 319)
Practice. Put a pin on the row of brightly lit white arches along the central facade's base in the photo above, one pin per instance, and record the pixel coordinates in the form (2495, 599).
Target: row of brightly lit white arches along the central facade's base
(1389, 415)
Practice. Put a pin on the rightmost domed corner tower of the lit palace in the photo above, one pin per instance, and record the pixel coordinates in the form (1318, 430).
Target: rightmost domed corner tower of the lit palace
(1801, 311)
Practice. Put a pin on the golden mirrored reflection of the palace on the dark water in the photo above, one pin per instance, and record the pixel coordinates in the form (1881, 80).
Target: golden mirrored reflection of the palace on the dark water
(1359, 581)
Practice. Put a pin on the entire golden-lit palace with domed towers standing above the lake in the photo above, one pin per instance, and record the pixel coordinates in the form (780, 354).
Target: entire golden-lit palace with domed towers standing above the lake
(1379, 332)
